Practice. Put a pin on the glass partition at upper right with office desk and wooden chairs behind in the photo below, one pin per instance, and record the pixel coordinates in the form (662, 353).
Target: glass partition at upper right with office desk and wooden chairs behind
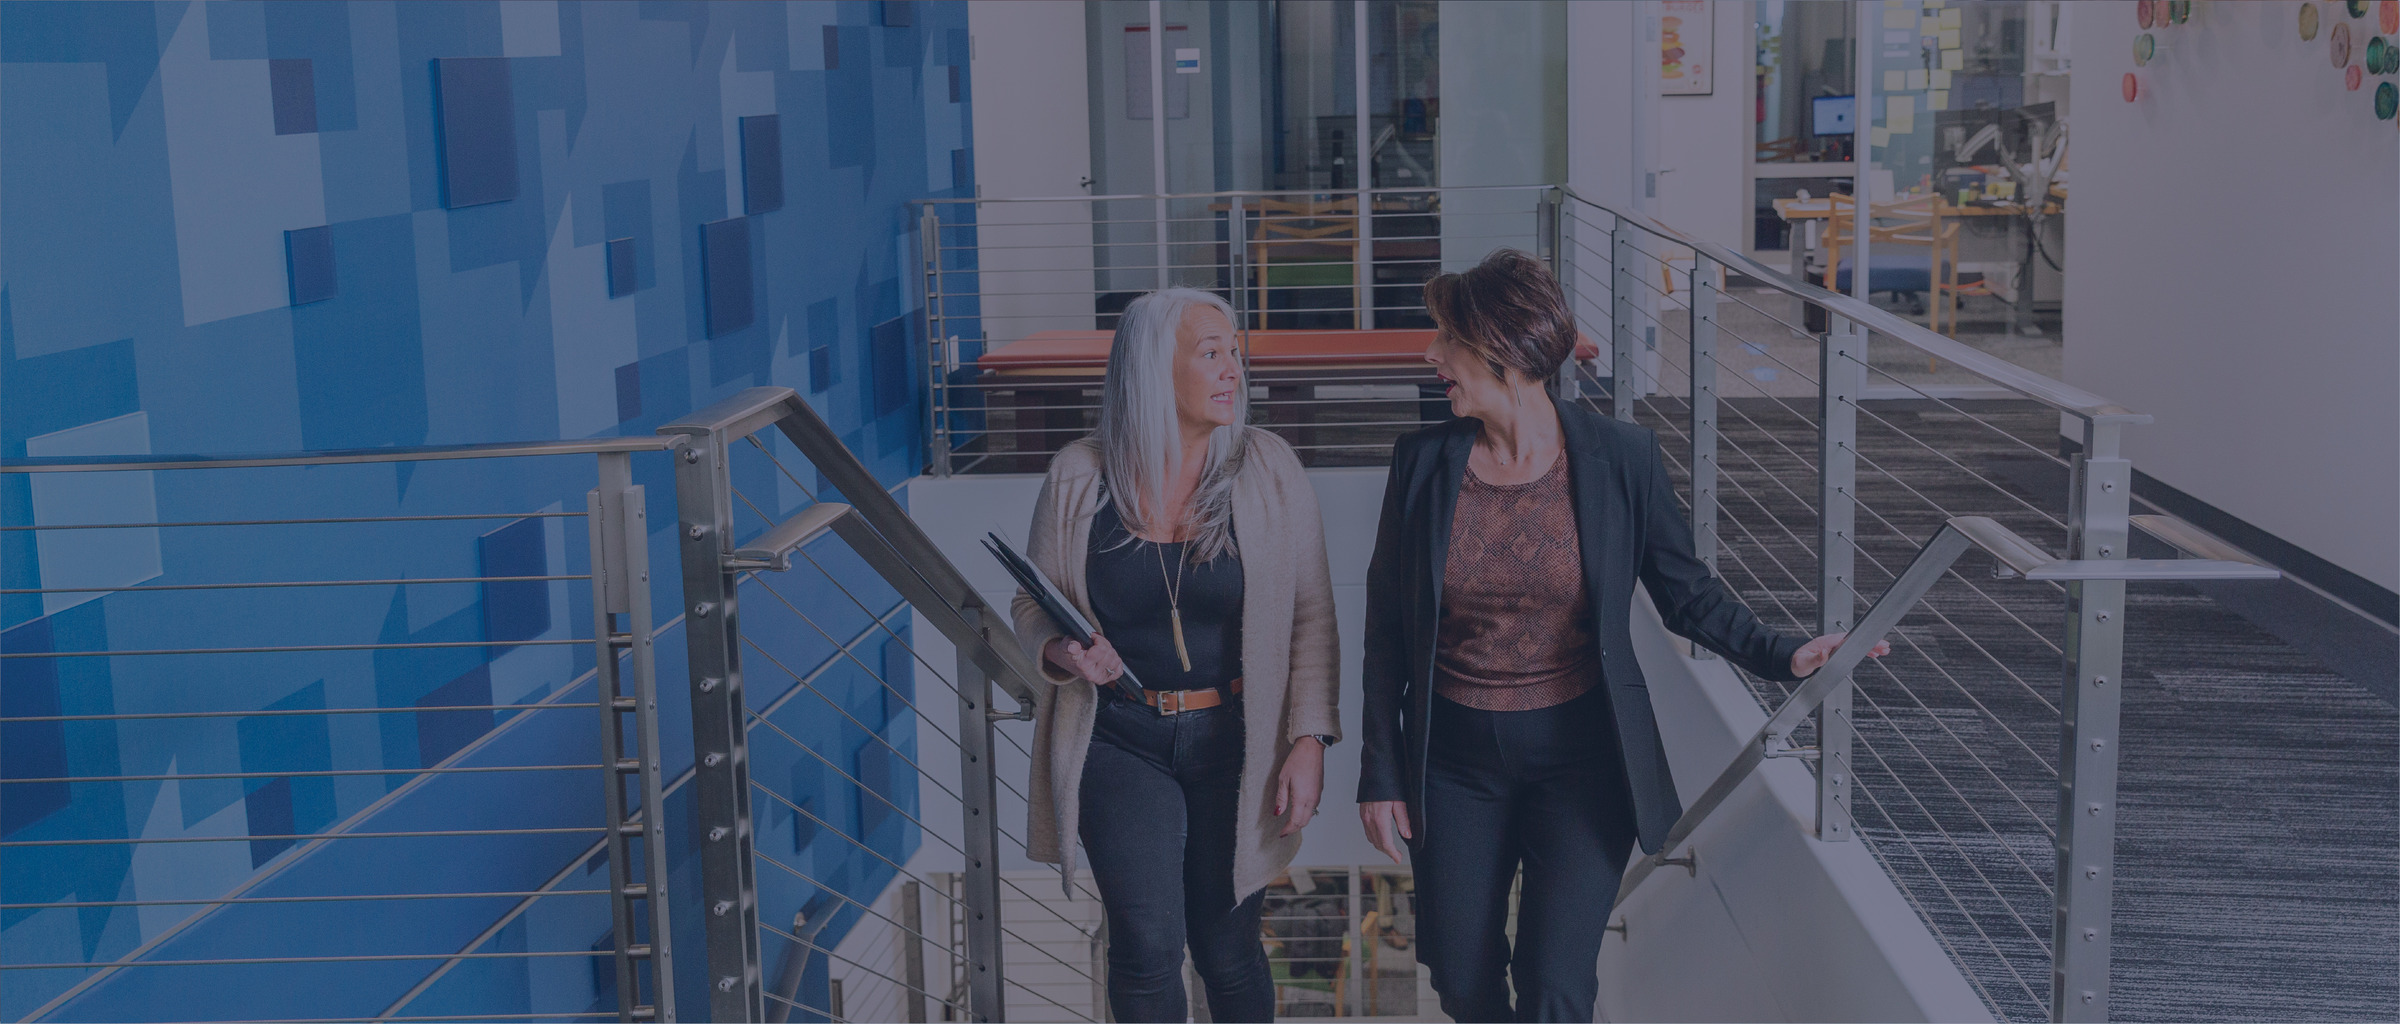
(1964, 114)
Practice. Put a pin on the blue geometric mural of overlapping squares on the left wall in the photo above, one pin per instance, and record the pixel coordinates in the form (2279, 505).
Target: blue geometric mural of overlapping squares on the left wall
(299, 227)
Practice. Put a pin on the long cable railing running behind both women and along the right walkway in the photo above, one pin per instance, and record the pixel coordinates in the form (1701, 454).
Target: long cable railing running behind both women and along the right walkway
(1816, 462)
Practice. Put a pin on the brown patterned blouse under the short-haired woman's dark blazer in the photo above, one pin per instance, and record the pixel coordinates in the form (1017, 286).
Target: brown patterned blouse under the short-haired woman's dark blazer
(1516, 618)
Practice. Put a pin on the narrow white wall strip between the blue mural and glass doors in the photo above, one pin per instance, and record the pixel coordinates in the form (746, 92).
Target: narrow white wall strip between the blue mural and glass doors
(1033, 138)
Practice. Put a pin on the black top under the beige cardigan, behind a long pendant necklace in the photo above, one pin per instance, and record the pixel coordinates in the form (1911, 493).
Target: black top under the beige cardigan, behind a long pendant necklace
(1129, 603)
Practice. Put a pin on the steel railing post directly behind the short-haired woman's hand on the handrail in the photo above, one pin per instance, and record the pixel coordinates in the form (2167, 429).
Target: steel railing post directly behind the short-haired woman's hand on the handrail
(1842, 368)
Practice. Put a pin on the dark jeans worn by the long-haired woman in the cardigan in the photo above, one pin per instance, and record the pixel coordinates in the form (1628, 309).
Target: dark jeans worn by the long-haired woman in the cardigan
(1160, 795)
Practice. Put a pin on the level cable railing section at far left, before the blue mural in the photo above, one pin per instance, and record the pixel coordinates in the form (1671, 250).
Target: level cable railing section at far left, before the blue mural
(419, 845)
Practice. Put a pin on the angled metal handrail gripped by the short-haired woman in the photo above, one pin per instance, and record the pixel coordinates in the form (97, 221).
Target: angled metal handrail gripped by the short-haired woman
(1933, 560)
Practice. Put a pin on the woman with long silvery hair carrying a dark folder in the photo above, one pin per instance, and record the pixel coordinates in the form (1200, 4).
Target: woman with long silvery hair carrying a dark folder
(1194, 546)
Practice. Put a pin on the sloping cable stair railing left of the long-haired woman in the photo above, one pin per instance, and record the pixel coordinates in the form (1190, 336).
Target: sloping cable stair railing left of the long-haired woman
(812, 742)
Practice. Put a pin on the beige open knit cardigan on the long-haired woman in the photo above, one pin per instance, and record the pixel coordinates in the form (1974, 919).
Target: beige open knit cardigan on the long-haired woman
(1290, 656)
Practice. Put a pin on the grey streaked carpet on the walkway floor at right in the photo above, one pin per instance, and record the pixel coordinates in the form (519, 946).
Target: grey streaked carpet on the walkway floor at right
(2260, 831)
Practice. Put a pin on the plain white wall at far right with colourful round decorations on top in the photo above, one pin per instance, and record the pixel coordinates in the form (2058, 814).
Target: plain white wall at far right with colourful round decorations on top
(2233, 272)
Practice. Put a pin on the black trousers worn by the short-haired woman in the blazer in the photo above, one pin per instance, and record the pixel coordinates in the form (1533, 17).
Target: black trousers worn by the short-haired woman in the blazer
(1544, 790)
